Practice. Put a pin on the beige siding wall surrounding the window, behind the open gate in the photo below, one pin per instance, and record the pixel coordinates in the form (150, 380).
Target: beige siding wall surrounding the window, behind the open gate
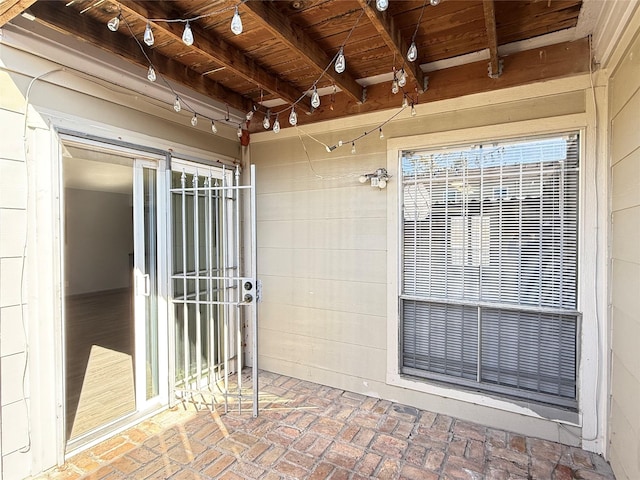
(322, 251)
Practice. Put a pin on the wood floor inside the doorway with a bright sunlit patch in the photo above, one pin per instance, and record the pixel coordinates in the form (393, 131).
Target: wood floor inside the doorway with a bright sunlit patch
(99, 360)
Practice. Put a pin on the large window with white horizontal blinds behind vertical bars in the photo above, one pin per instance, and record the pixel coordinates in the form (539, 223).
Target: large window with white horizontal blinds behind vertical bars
(489, 267)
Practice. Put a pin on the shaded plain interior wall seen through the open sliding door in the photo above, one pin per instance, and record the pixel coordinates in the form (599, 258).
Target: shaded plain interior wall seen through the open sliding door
(98, 240)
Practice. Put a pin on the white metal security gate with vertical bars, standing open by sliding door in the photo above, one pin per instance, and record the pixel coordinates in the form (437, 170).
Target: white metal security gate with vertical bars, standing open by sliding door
(213, 285)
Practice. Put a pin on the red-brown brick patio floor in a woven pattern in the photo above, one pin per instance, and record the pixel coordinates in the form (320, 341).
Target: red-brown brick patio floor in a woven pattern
(310, 431)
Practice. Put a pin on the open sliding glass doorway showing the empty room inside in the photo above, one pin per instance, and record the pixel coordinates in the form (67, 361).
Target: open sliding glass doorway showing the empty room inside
(111, 265)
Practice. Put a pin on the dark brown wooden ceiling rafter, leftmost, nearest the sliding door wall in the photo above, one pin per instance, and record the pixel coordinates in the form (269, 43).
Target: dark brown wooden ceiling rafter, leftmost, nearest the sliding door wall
(123, 45)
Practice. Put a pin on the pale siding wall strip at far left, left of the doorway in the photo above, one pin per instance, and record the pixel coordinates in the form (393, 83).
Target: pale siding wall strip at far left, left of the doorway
(13, 223)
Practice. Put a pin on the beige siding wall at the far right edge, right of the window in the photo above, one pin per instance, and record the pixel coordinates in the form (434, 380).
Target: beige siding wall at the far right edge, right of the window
(624, 95)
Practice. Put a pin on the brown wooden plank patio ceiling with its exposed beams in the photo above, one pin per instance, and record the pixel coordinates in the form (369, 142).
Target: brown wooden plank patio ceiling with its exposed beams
(289, 46)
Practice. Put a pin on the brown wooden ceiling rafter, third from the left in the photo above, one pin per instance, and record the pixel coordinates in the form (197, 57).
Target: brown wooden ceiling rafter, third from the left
(282, 28)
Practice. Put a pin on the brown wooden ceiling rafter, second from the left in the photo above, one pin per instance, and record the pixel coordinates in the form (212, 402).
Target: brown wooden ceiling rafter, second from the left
(217, 50)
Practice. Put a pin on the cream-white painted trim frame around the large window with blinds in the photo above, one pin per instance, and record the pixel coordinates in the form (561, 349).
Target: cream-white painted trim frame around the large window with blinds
(591, 362)
